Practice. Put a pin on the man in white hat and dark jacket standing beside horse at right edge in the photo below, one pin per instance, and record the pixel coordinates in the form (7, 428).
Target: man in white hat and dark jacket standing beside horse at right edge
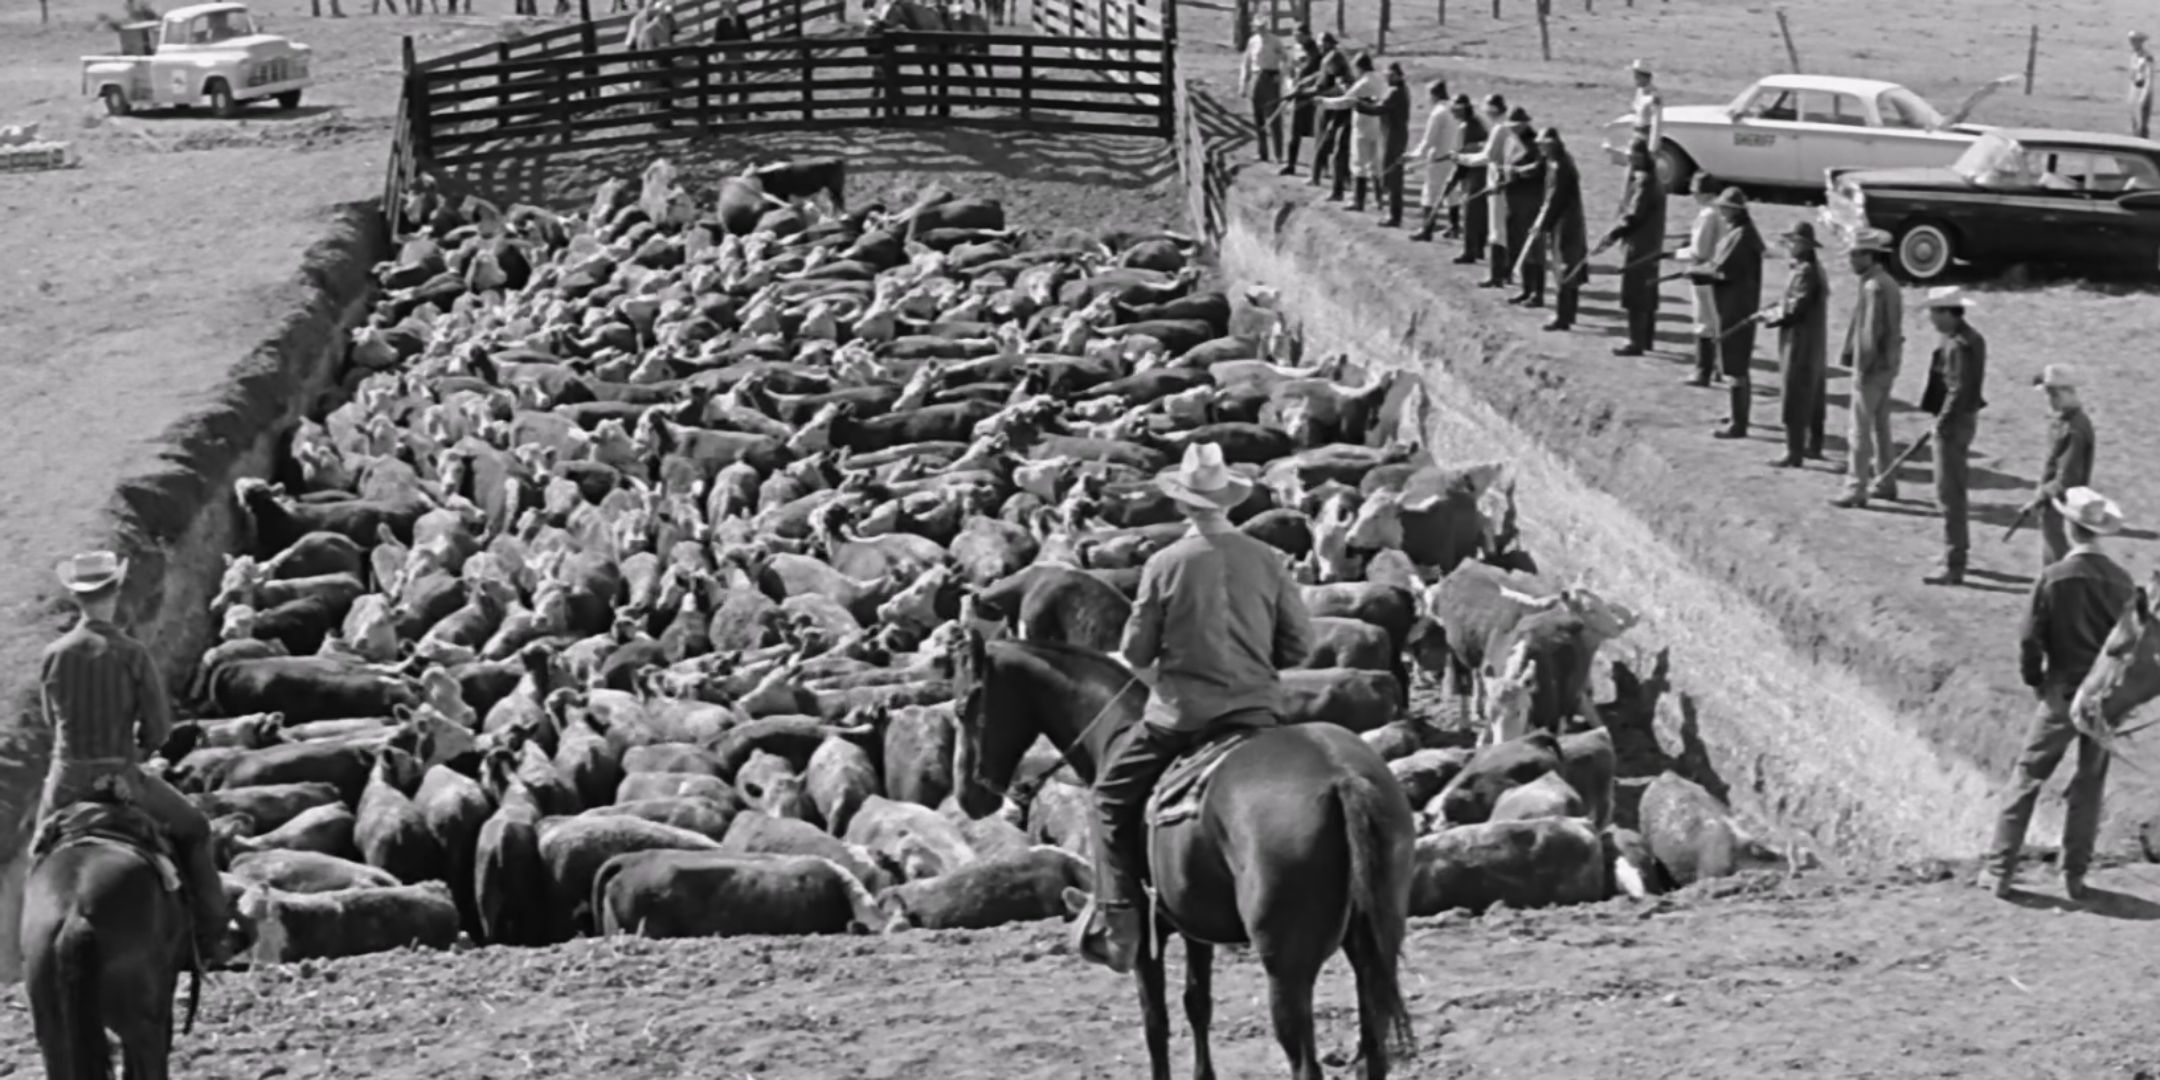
(2073, 612)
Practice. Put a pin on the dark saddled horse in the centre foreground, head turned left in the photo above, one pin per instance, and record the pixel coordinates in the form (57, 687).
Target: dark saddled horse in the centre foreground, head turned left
(1301, 846)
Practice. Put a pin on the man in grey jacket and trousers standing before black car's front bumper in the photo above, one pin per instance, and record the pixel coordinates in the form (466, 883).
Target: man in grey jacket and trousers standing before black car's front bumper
(1876, 353)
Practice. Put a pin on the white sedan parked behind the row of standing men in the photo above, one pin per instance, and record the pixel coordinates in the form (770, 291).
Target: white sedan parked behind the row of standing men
(1785, 131)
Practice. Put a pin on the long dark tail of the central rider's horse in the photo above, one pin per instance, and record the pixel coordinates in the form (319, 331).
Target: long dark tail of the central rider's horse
(1379, 902)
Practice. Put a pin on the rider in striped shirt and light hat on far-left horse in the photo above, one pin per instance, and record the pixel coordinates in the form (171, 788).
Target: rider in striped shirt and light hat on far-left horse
(107, 705)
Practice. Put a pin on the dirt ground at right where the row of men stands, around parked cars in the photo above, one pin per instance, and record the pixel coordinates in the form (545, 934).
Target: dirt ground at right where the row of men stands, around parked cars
(1952, 660)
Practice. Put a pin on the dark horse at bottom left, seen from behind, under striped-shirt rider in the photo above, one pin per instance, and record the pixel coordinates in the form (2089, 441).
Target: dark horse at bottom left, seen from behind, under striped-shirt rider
(103, 945)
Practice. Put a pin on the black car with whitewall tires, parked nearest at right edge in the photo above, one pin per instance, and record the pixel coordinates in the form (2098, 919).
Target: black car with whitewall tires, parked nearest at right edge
(2016, 198)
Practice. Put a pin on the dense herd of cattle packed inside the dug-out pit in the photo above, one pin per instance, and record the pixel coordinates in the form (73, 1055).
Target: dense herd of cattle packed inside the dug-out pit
(617, 595)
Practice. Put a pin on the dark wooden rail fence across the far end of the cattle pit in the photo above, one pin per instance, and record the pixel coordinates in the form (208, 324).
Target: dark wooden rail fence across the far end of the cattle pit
(1079, 66)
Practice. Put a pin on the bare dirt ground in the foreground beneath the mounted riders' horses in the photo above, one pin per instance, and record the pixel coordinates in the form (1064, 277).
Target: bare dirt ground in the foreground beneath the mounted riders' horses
(1820, 980)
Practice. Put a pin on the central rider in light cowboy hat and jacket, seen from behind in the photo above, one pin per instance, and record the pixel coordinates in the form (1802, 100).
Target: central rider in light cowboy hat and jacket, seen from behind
(1217, 617)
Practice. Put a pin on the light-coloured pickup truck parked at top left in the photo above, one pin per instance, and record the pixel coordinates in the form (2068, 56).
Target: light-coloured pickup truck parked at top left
(204, 55)
